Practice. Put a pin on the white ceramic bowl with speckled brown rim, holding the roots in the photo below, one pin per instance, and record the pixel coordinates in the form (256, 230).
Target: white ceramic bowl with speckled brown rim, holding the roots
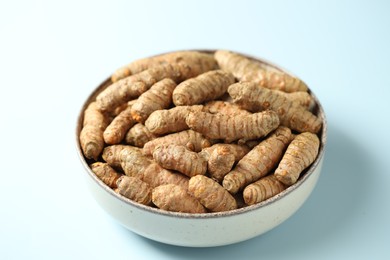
(204, 229)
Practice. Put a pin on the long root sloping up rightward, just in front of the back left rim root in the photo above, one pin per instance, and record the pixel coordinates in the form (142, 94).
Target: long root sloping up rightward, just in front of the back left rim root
(133, 86)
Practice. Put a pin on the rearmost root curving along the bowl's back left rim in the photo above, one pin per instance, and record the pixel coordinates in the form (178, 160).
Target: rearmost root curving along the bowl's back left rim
(202, 60)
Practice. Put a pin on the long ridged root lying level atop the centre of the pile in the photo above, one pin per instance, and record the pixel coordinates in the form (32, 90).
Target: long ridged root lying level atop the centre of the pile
(231, 128)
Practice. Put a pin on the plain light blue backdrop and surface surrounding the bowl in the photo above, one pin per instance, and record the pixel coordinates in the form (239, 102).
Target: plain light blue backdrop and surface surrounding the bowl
(54, 53)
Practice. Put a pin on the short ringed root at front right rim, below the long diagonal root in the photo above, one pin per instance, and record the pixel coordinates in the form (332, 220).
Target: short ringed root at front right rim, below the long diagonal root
(262, 189)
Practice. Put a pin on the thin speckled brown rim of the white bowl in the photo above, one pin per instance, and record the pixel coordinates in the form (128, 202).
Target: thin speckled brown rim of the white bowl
(304, 176)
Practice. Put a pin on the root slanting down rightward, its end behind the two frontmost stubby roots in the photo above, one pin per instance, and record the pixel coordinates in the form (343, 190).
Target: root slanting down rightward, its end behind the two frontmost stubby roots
(135, 164)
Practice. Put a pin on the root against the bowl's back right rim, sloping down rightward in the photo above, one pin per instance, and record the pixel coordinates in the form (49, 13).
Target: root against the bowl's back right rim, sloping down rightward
(245, 69)
